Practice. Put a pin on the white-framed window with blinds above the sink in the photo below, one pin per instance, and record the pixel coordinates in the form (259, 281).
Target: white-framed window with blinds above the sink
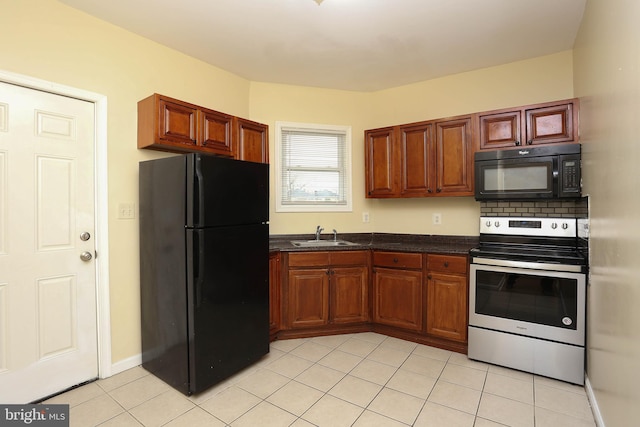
(314, 167)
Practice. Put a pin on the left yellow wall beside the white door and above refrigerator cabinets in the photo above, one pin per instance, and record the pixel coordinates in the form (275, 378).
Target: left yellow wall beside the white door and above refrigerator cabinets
(50, 41)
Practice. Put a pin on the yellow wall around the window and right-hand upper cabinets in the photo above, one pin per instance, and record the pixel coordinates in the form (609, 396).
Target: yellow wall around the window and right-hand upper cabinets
(526, 82)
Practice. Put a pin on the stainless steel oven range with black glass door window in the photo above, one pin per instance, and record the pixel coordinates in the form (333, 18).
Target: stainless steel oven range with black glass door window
(527, 296)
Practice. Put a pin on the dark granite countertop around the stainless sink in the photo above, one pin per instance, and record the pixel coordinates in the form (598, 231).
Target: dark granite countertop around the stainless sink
(380, 241)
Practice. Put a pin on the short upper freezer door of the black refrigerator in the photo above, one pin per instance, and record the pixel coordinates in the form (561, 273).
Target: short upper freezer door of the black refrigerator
(223, 191)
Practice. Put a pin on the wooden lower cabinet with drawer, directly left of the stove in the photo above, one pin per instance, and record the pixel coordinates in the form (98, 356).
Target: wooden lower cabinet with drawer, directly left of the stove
(447, 297)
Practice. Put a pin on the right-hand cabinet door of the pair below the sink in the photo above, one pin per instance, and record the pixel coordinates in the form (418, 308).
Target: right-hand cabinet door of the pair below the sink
(349, 295)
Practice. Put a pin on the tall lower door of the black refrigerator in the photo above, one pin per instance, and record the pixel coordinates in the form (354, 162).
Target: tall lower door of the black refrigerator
(228, 299)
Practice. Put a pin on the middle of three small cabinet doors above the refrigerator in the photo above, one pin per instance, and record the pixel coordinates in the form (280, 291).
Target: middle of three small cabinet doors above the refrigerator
(216, 132)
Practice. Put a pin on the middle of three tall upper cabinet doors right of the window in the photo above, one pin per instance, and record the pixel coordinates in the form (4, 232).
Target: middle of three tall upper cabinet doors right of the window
(416, 159)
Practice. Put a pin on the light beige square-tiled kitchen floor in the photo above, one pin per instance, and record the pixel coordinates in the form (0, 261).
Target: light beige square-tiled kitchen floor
(363, 379)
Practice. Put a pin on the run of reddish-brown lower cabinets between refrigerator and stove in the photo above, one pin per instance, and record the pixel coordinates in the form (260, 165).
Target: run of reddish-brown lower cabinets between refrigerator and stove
(414, 296)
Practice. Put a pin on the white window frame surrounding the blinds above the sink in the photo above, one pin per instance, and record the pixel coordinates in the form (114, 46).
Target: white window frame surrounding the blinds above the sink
(279, 165)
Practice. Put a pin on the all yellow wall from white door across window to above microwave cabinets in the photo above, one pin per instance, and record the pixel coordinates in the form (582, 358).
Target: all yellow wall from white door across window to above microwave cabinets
(51, 41)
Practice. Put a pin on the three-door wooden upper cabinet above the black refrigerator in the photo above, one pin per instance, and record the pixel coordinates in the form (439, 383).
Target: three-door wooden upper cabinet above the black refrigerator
(168, 124)
